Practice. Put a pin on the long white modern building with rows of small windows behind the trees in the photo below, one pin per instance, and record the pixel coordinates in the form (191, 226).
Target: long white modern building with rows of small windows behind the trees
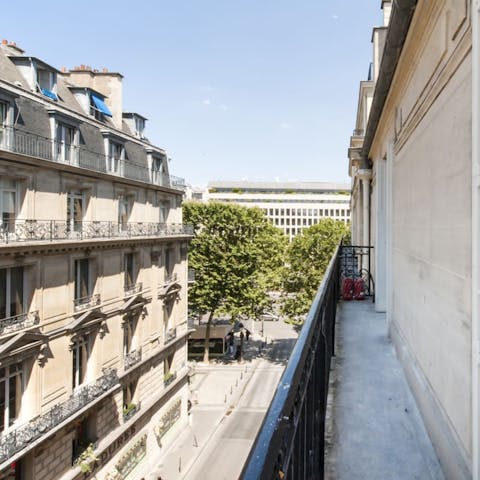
(290, 206)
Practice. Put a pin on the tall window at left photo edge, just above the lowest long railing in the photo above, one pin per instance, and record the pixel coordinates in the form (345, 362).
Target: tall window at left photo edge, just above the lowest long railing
(11, 386)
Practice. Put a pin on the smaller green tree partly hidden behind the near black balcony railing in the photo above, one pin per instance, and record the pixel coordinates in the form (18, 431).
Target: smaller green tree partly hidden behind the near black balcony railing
(308, 256)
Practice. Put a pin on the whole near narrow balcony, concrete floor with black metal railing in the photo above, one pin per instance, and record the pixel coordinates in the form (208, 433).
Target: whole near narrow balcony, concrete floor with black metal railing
(373, 428)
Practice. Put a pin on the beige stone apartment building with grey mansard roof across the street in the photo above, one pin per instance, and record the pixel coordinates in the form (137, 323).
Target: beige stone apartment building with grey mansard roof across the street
(93, 332)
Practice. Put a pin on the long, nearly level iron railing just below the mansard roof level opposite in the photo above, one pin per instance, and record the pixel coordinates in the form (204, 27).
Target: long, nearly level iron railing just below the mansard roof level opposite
(52, 230)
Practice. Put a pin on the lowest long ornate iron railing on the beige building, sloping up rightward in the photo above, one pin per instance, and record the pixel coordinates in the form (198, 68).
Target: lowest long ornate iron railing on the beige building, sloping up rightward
(19, 438)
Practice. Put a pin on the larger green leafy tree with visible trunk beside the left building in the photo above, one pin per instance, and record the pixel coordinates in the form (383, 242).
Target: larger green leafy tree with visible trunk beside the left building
(237, 256)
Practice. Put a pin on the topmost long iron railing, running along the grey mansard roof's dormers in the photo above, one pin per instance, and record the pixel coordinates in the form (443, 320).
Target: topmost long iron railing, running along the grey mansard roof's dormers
(27, 143)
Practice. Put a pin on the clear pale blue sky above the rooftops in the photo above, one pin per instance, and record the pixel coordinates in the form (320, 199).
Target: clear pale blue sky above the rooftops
(245, 89)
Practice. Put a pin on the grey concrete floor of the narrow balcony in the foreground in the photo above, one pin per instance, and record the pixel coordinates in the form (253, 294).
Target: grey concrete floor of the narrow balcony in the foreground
(374, 429)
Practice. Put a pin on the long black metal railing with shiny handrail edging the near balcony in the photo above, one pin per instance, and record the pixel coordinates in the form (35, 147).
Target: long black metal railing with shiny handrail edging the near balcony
(290, 443)
